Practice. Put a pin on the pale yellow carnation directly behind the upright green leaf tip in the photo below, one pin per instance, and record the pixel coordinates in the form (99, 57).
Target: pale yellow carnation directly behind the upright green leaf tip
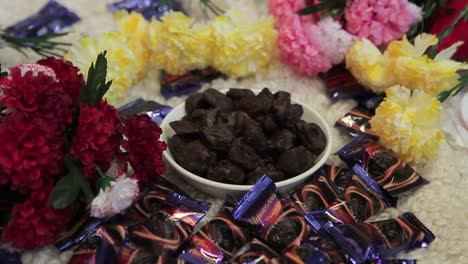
(127, 60)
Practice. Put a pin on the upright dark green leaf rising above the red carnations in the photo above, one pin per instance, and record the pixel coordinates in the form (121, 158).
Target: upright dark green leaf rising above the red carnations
(96, 86)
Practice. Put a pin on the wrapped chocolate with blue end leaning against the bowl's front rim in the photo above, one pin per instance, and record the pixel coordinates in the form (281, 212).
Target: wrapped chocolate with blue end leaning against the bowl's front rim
(272, 217)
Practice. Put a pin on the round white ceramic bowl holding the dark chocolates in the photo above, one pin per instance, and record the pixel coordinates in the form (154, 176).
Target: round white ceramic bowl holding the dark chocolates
(222, 189)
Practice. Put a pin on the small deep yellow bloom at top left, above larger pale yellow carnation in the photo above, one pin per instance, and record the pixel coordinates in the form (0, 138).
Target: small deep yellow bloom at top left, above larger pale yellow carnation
(133, 26)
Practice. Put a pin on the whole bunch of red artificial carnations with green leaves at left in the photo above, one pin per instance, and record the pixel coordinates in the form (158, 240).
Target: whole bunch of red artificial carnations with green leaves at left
(57, 138)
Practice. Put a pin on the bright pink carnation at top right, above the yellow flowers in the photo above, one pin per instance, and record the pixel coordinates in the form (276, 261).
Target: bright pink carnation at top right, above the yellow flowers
(381, 21)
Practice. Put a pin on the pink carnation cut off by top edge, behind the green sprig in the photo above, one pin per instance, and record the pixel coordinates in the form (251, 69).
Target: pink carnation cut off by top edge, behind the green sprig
(282, 9)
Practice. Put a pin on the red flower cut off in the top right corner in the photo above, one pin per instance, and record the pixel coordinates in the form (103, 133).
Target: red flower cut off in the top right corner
(442, 19)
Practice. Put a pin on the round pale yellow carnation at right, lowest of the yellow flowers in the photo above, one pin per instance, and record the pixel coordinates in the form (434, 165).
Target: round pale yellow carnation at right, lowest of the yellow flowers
(408, 123)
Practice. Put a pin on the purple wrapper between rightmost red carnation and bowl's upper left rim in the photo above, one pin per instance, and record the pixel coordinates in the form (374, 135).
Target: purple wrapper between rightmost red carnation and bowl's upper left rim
(154, 110)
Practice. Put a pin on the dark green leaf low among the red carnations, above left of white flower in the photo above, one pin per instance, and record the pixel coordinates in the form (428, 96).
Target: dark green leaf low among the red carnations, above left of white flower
(65, 192)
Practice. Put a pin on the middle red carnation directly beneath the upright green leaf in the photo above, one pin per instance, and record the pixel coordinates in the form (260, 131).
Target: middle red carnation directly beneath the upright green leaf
(98, 136)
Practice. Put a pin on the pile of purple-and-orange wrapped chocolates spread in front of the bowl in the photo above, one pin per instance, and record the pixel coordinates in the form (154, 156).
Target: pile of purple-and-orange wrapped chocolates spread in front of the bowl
(320, 222)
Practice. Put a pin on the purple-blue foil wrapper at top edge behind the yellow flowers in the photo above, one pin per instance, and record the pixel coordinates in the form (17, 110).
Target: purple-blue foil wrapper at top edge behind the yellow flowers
(148, 8)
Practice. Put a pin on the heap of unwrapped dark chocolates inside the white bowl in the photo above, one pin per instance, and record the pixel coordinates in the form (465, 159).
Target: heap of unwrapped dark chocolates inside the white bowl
(237, 137)
